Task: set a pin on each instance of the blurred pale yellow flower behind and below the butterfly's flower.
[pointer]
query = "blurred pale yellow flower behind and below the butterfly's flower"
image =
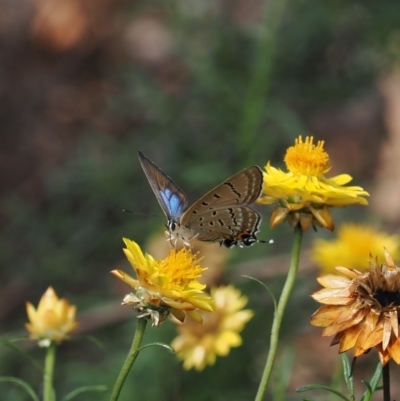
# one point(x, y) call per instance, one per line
point(199, 346)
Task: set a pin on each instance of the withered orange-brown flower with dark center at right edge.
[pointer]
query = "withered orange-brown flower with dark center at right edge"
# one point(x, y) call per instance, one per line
point(362, 309)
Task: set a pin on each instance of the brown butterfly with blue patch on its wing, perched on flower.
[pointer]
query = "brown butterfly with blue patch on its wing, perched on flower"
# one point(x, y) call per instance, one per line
point(221, 215)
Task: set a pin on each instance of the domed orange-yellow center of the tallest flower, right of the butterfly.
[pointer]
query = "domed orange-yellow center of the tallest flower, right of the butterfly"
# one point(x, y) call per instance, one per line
point(305, 158)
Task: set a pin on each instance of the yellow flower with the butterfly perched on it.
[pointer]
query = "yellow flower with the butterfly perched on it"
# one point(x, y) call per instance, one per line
point(165, 286)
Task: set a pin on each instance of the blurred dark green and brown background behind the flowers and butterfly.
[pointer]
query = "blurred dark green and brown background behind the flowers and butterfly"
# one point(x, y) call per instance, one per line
point(204, 89)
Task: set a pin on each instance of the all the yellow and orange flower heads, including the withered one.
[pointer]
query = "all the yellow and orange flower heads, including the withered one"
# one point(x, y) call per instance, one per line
point(361, 303)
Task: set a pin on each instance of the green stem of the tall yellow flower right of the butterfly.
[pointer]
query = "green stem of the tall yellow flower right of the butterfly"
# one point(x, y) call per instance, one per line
point(279, 312)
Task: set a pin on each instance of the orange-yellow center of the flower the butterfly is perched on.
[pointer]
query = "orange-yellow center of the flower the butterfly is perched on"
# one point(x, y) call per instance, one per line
point(181, 267)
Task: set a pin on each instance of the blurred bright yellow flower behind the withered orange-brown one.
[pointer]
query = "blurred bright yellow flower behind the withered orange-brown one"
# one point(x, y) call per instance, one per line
point(353, 246)
